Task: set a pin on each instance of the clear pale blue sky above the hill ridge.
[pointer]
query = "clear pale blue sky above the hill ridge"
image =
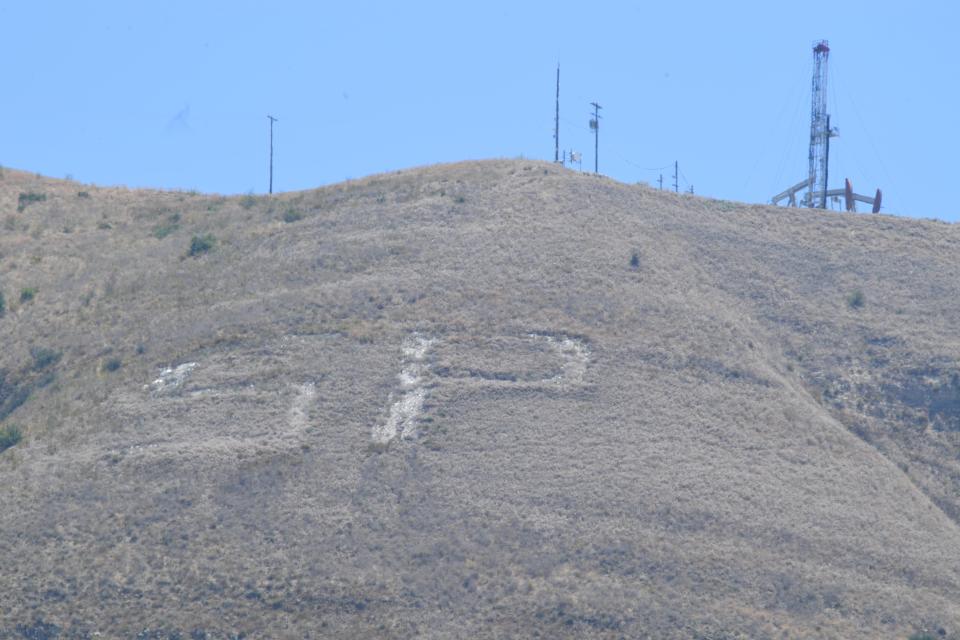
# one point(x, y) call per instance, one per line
point(175, 94)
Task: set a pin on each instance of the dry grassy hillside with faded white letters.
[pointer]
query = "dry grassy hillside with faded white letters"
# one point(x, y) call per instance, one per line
point(495, 399)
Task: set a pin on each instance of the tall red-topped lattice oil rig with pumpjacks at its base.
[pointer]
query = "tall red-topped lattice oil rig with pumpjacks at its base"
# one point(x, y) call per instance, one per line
point(817, 191)
